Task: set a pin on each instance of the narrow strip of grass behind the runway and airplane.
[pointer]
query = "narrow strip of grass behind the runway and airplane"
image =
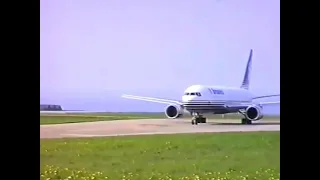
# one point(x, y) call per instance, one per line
point(75, 118)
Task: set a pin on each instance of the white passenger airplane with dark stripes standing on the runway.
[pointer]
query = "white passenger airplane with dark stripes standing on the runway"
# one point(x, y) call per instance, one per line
point(200, 99)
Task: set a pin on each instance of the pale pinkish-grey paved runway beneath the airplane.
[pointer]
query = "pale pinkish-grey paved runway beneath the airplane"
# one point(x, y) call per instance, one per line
point(151, 126)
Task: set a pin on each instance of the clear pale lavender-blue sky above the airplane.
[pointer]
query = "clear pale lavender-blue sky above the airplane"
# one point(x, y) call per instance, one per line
point(95, 50)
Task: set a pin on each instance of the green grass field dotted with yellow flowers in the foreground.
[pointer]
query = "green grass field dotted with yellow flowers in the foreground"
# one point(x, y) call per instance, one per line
point(223, 156)
